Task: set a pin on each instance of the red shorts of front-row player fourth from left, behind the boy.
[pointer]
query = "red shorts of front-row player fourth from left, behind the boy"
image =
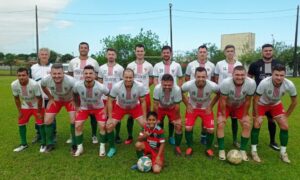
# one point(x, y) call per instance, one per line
point(119, 112)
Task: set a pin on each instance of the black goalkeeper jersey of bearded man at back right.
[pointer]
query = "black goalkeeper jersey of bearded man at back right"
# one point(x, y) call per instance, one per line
point(260, 70)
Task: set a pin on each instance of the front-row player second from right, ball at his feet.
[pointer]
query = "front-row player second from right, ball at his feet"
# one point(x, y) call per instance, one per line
point(235, 100)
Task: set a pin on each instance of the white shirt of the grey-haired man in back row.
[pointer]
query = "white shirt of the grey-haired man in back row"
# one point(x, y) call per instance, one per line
point(38, 72)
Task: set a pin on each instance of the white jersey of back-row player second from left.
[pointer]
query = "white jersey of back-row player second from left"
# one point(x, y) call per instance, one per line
point(76, 67)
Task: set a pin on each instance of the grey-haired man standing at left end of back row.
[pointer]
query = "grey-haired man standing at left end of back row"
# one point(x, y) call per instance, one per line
point(37, 72)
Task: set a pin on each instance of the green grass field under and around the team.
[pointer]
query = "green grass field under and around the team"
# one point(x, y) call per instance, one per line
point(31, 164)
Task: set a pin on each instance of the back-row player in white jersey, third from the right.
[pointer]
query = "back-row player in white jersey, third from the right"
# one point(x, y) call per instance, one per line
point(202, 61)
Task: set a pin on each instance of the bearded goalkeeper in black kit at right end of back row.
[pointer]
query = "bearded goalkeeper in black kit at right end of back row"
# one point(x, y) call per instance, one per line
point(261, 69)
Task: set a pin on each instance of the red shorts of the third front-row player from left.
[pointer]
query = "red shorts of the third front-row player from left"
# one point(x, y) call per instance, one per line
point(82, 115)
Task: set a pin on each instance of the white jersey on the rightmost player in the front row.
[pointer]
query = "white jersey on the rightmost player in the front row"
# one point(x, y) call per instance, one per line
point(271, 95)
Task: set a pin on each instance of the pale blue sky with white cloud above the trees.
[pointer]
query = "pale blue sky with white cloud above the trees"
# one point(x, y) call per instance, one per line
point(63, 24)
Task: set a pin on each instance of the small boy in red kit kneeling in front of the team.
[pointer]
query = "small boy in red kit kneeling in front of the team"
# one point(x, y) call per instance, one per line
point(151, 141)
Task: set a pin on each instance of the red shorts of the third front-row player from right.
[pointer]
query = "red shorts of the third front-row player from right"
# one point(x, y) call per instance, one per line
point(207, 119)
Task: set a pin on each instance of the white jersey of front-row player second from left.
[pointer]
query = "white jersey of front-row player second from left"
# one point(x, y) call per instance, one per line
point(60, 92)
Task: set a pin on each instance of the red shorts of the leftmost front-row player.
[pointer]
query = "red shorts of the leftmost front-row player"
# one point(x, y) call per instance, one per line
point(27, 113)
